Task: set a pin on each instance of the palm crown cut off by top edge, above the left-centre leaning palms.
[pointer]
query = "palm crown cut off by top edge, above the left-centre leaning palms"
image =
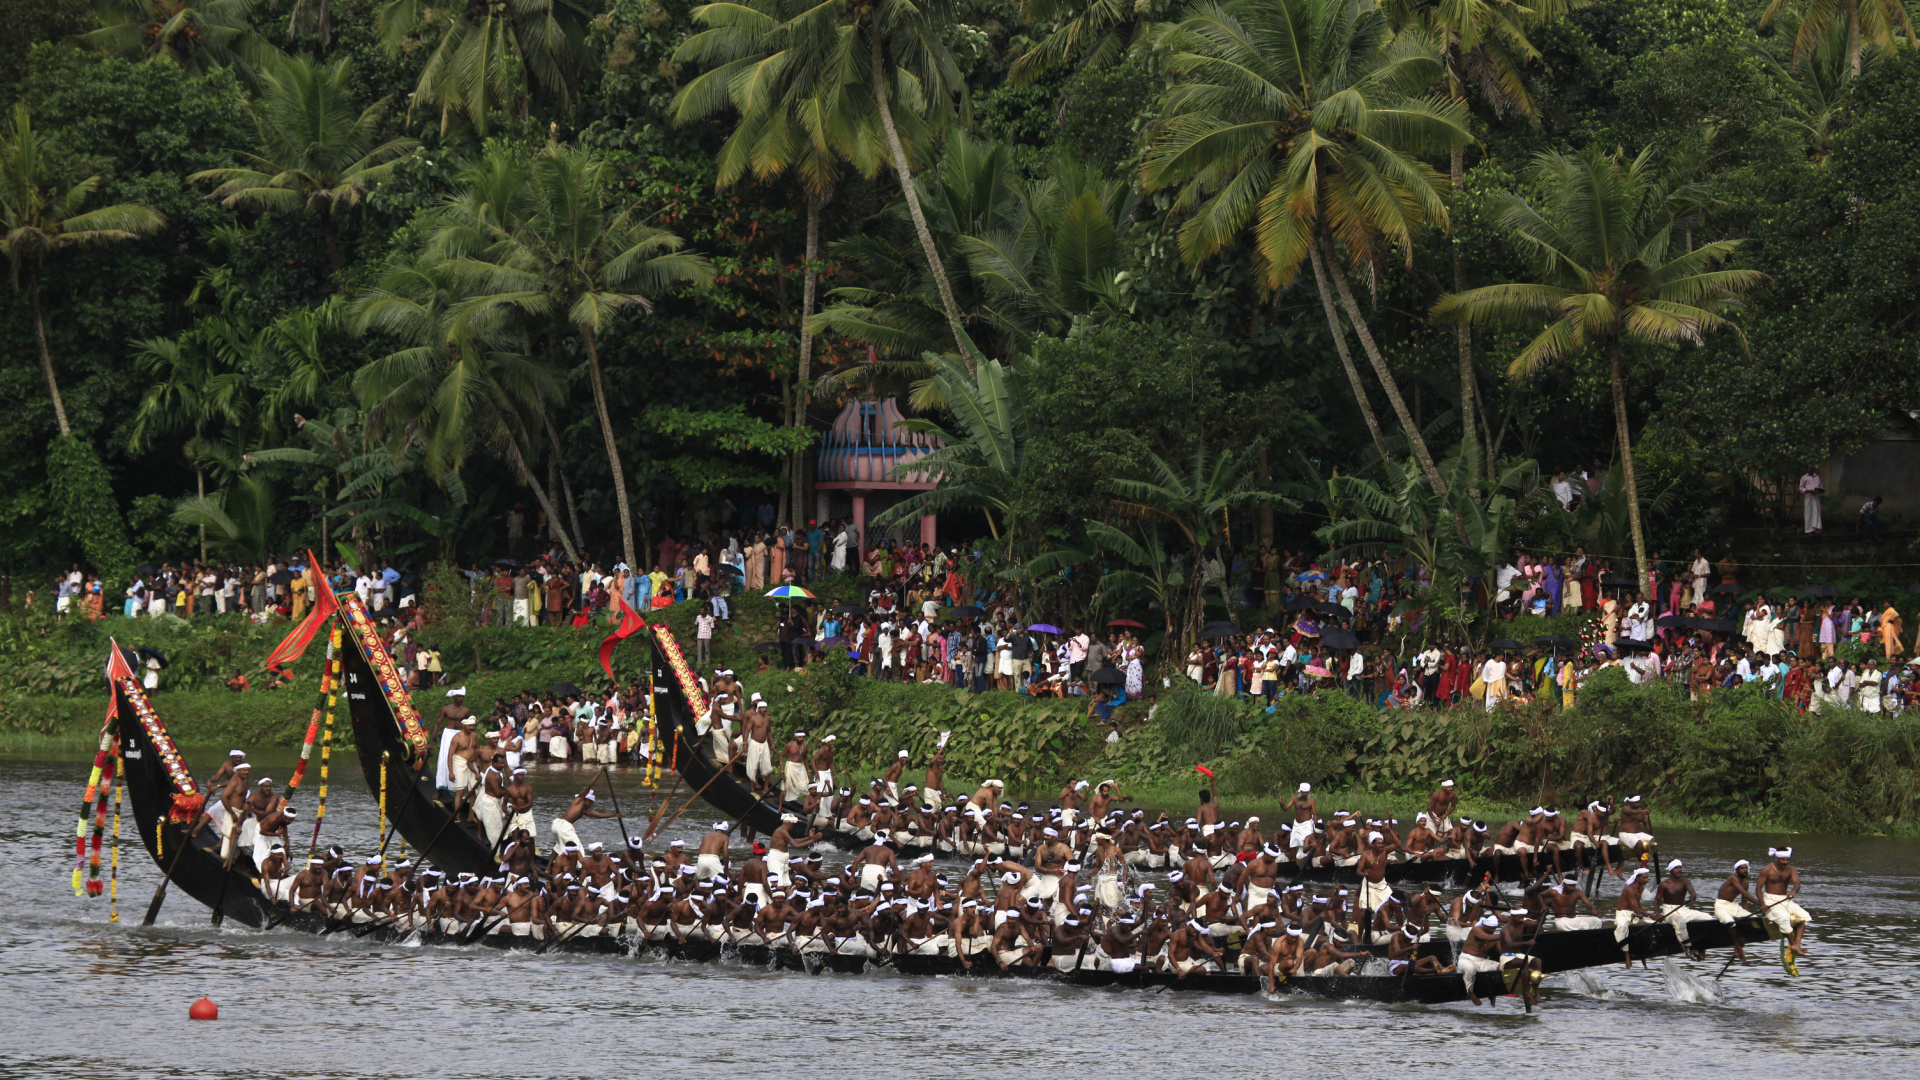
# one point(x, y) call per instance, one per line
point(498, 55)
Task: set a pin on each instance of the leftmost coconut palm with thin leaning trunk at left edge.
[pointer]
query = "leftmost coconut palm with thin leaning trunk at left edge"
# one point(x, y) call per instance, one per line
point(43, 212)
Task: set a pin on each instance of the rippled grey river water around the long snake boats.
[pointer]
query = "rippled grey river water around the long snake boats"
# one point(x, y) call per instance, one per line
point(95, 998)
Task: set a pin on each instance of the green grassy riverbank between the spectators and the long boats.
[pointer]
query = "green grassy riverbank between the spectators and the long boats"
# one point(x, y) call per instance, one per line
point(1740, 762)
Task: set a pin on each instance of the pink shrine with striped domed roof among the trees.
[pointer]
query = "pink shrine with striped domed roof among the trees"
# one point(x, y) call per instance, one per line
point(861, 454)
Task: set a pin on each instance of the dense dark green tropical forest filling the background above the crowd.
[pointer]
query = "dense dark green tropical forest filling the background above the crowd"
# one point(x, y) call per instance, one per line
point(1051, 147)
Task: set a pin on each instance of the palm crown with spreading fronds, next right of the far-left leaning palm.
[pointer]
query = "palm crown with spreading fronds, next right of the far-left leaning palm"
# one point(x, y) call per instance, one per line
point(314, 153)
